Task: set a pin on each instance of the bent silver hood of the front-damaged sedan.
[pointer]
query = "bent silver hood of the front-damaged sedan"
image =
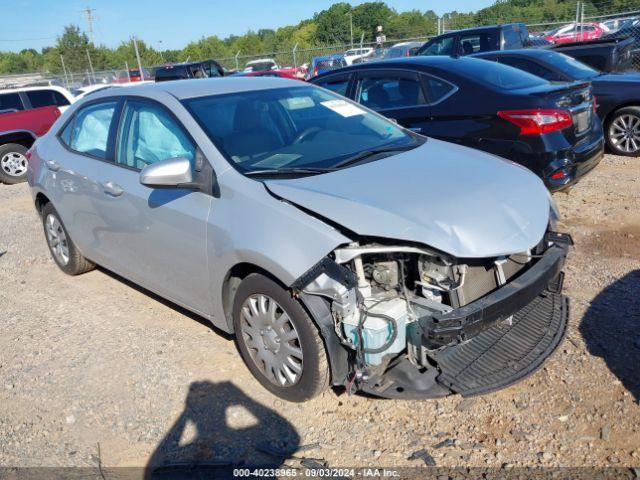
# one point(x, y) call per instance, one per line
point(460, 201)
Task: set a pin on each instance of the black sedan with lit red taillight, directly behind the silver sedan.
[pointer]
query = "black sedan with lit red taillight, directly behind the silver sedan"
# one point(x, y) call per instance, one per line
point(550, 129)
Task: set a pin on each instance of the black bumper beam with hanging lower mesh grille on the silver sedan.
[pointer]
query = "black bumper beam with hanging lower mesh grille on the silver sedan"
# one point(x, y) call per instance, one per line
point(476, 349)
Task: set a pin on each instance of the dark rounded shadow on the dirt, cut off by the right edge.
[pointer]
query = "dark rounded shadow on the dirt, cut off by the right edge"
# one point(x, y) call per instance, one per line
point(611, 330)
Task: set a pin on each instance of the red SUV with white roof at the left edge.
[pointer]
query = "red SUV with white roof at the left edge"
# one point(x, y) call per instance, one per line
point(26, 114)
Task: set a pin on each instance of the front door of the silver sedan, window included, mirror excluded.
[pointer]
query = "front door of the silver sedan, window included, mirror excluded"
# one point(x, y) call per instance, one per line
point(155, 237)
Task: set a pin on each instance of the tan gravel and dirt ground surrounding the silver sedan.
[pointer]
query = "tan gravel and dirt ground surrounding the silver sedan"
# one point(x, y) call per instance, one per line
point(94, 369)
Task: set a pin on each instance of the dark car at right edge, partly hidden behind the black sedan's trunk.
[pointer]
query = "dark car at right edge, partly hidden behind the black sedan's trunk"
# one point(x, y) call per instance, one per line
point(617, 94)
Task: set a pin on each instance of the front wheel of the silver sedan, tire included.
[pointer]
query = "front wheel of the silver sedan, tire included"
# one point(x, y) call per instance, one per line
point(278, 341)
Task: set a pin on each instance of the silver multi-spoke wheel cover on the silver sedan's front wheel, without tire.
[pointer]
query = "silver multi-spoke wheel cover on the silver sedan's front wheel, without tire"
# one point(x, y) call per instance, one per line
point(272, 340)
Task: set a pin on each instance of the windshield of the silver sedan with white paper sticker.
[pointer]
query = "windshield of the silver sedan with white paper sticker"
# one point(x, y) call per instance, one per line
point(293, 128)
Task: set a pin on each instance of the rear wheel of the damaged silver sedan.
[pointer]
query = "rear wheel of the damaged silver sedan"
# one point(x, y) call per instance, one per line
point(62, 248)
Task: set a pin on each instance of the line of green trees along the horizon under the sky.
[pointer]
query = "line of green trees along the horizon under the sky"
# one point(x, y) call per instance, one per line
point(332, 26)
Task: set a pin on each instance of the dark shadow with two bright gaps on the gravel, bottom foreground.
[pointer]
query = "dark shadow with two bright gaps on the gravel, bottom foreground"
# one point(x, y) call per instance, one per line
point(221, 429)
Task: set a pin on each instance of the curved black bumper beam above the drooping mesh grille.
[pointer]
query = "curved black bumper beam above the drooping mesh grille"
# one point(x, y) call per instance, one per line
point(467, 322)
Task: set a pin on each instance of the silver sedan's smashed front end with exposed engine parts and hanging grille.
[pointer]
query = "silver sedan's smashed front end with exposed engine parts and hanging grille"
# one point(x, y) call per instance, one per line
point(411, 322)
